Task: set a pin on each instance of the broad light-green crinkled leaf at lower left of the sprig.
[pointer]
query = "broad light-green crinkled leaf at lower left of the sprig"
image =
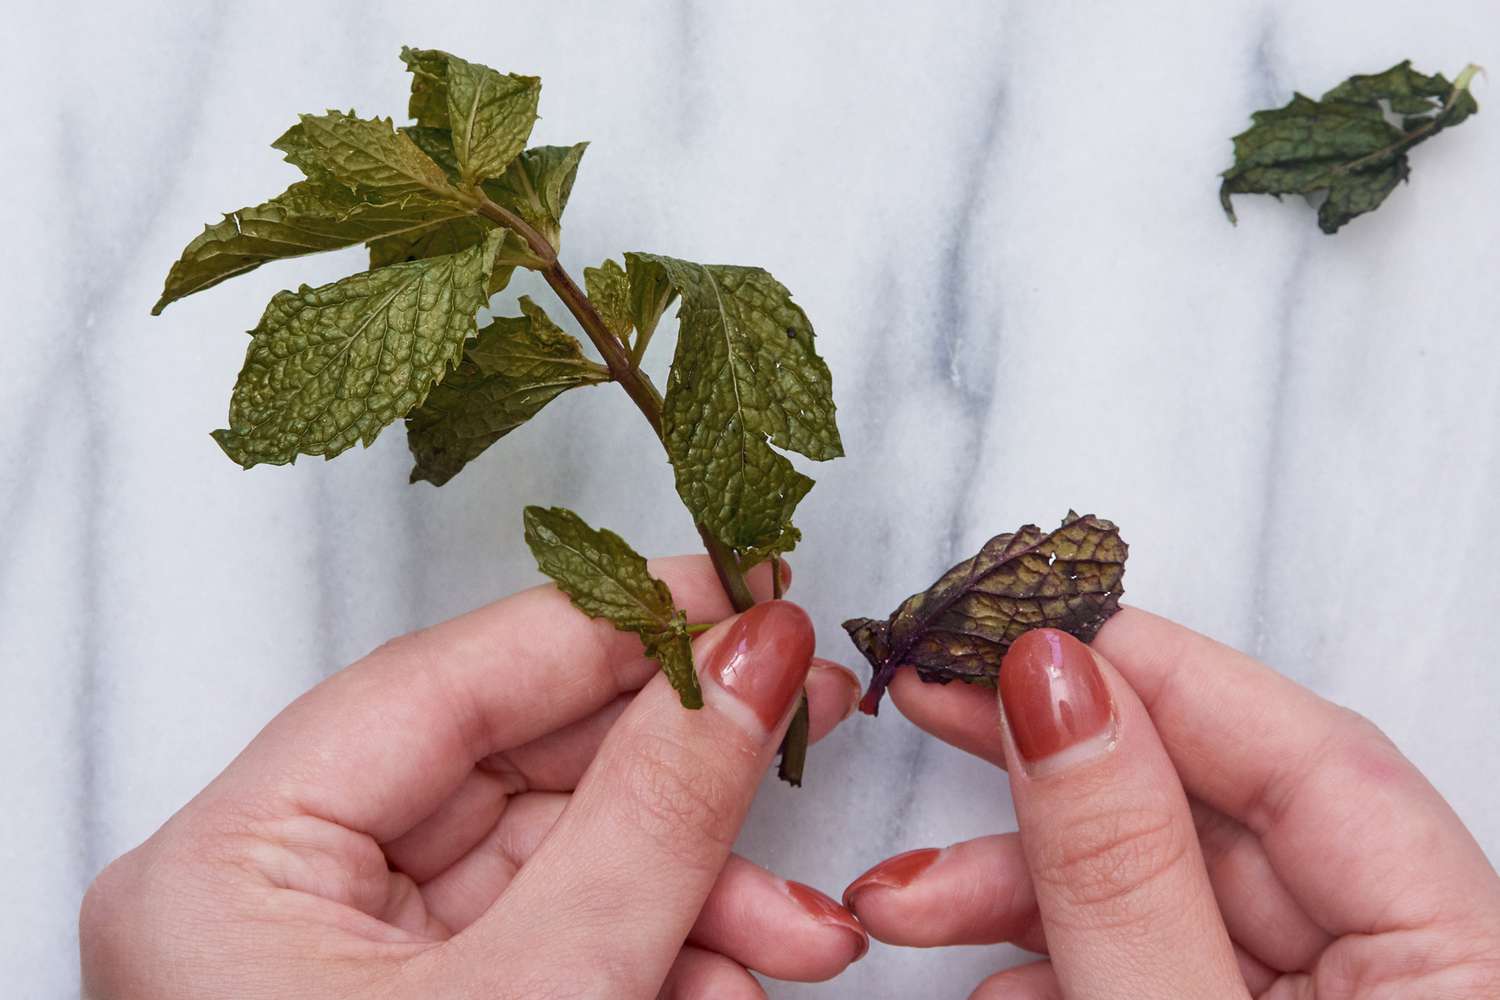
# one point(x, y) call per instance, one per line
point(332, 367)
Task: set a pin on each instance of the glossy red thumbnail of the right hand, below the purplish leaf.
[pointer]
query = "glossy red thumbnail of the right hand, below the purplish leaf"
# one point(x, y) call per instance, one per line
point(1057, 704)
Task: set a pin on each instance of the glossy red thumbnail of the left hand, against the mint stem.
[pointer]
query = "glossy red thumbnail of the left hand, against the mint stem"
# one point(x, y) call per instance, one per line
point(764, 659)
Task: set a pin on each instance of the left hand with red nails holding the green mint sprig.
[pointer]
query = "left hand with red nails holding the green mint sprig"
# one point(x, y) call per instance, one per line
point(509, 804)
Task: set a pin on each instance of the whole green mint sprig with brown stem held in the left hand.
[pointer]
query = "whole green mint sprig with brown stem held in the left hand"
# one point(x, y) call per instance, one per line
point(449, 208)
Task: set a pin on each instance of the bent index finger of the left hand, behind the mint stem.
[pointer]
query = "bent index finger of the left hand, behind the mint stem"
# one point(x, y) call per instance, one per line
point(379, 746)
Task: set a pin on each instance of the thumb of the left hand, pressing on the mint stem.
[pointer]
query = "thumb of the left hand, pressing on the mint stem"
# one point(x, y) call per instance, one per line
point(616, 887)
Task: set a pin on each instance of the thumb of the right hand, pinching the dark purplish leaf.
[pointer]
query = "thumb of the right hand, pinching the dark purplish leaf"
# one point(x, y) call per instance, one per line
point(1126, 900)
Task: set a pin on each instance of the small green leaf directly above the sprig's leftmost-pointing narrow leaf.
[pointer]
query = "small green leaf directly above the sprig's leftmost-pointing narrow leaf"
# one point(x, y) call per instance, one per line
point(370, 158)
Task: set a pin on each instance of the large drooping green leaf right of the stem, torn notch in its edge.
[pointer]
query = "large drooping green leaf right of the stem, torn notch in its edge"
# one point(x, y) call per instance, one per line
point(746, 377)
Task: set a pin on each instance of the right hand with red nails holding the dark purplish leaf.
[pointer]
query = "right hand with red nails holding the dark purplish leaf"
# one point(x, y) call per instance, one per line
point(1192, 825)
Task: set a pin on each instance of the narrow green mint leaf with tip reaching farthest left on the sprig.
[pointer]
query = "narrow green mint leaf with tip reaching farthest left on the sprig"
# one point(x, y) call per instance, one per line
point(308, 218)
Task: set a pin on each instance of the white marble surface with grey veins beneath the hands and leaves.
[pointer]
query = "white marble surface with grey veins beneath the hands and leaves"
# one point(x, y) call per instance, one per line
point(1000, 217)
